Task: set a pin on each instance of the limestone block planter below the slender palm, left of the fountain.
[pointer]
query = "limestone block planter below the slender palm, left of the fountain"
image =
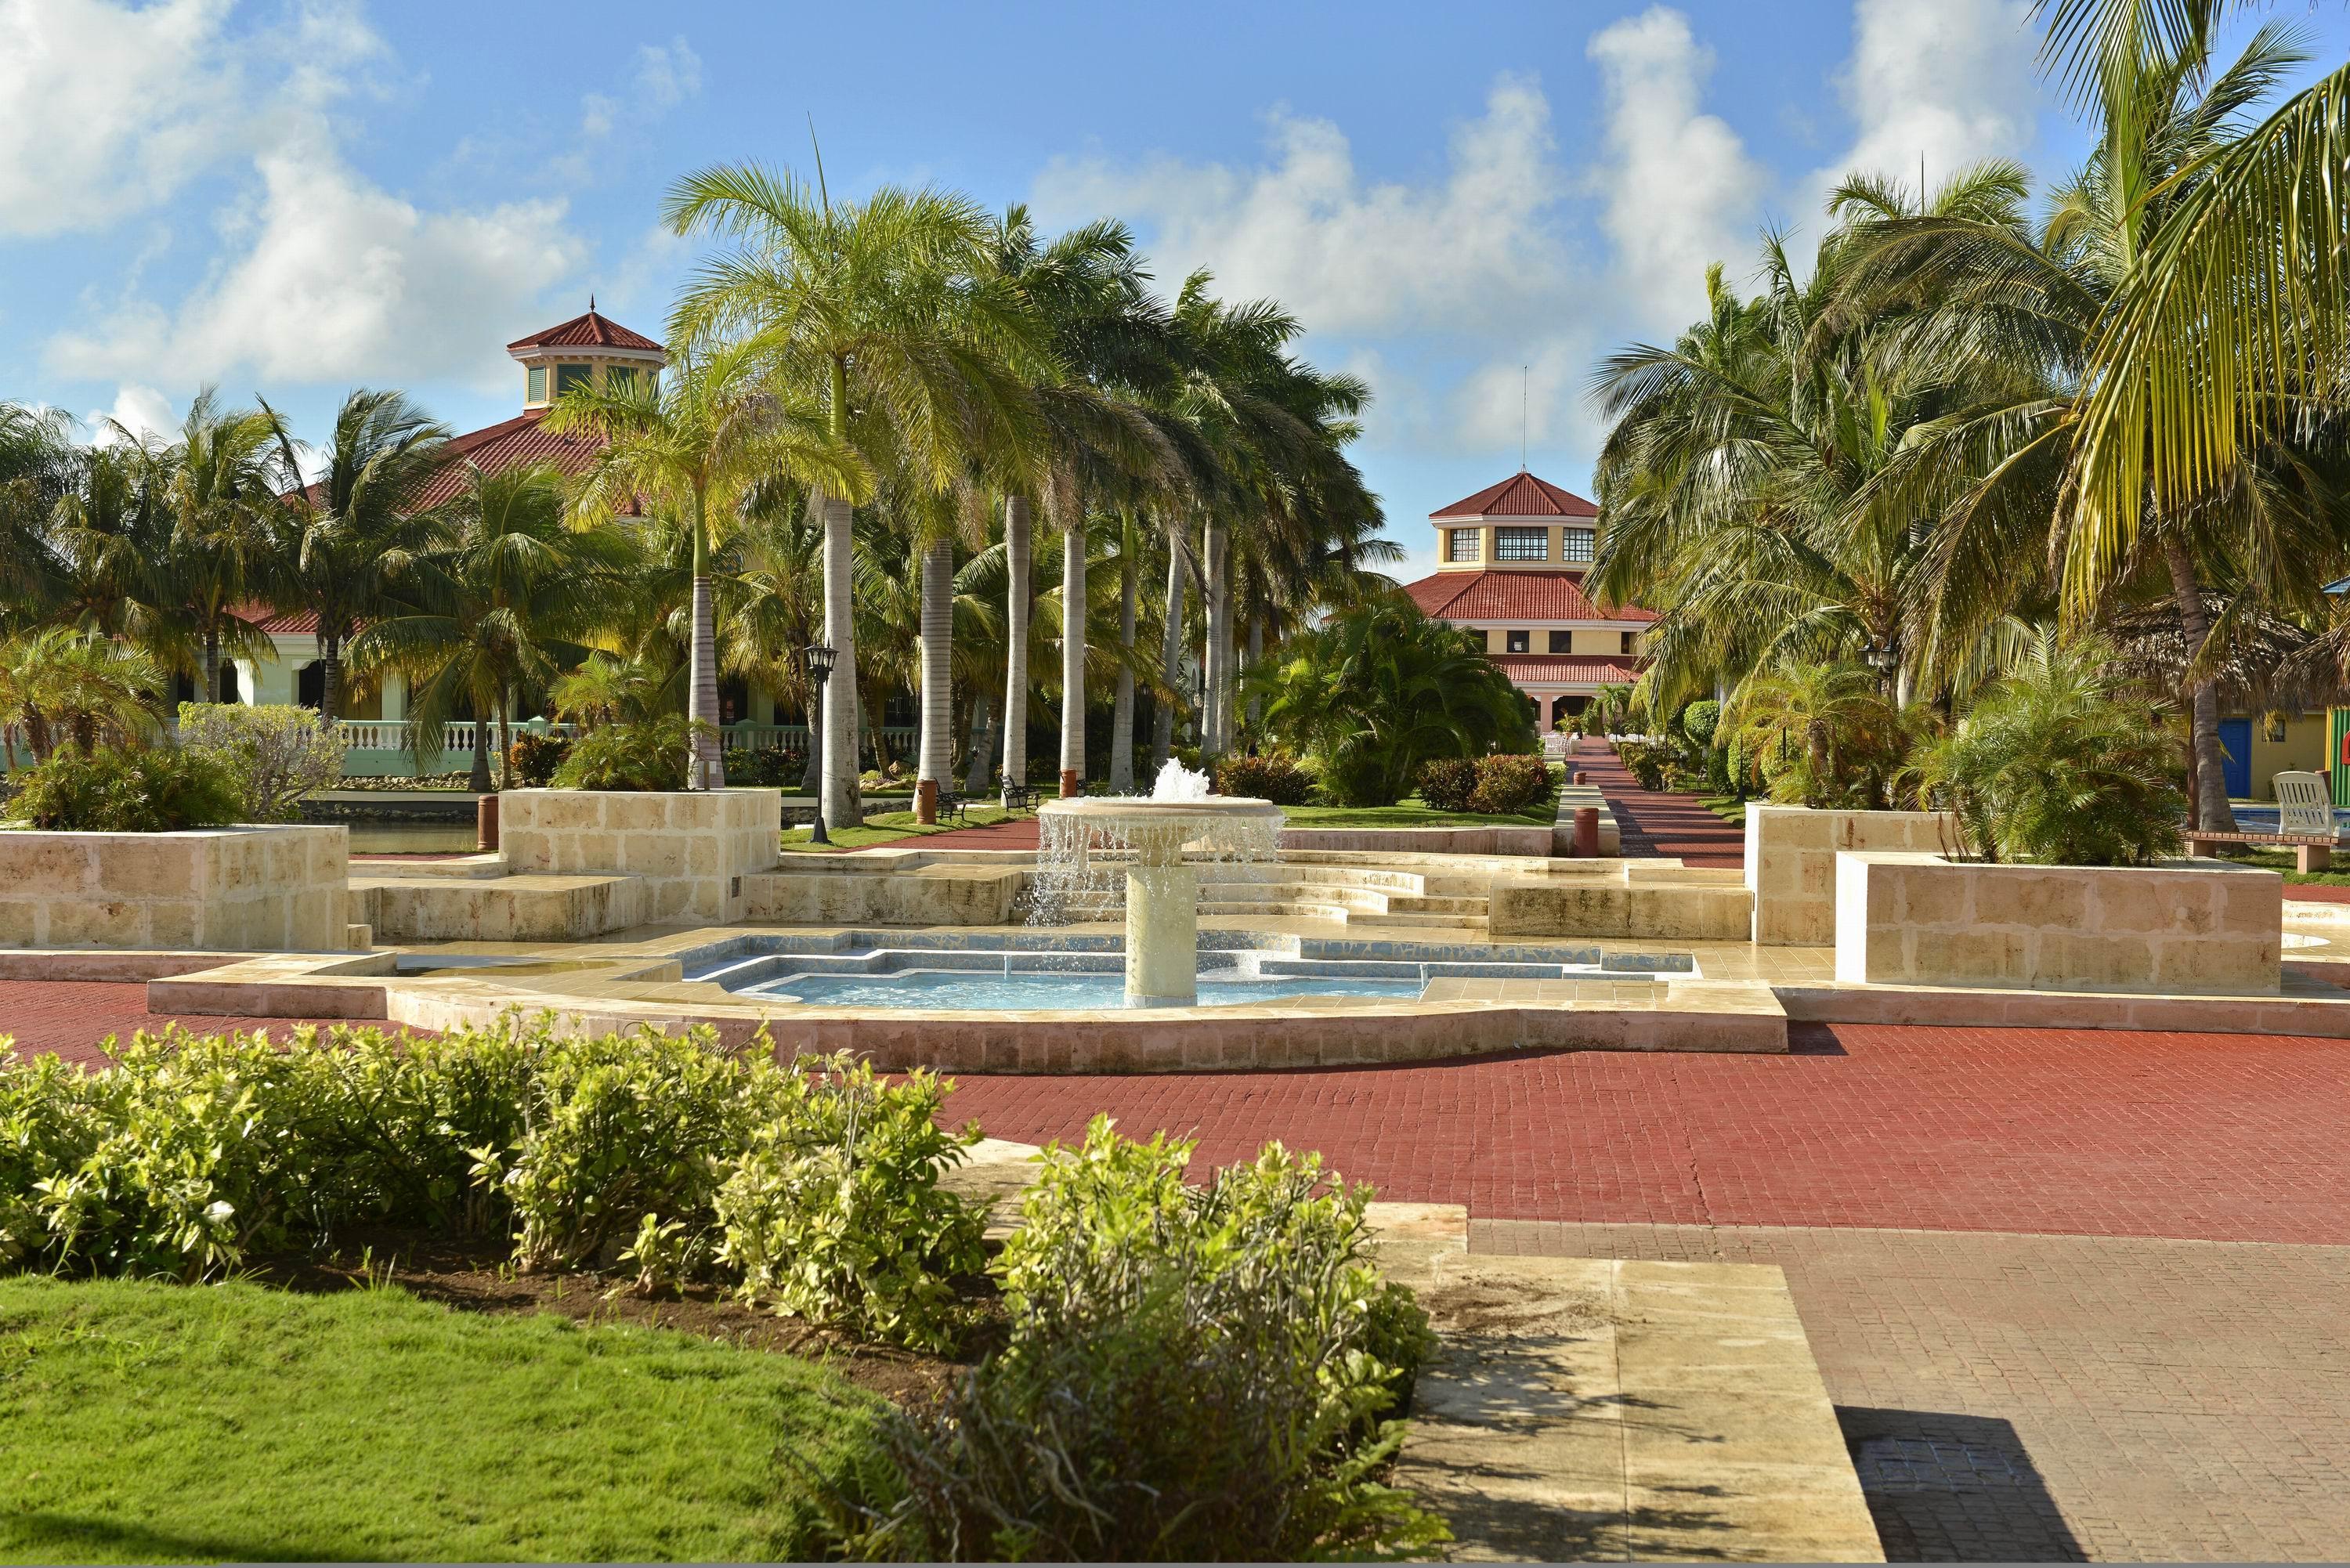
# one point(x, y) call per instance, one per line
point(692, 850)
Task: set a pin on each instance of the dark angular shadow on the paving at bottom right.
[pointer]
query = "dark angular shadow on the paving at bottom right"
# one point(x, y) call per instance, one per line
point(1954, 1489)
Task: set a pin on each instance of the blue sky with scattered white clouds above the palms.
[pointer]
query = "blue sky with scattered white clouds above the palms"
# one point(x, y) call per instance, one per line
point(1468, 206)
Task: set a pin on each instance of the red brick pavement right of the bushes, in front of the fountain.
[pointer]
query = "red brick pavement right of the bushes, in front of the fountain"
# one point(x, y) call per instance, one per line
point(2191, 1137)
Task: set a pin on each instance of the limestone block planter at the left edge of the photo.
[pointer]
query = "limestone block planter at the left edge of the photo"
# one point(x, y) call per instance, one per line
point(253, 887)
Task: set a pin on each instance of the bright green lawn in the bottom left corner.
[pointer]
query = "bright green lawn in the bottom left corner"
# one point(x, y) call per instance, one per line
point(147, 1421)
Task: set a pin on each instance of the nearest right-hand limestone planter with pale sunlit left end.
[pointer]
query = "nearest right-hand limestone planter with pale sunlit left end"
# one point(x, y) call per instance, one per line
point(2173, 927)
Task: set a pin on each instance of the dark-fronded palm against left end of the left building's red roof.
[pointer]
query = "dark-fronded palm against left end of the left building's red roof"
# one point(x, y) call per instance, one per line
point(344, 537)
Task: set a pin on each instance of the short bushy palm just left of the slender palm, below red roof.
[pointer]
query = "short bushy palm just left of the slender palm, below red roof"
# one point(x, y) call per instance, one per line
point(497, 612)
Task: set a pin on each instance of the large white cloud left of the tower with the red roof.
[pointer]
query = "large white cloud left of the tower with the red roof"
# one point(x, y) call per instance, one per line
point(340, 281)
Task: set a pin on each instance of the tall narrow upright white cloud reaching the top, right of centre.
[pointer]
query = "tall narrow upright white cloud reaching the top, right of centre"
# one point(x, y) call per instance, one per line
point(1679, 189)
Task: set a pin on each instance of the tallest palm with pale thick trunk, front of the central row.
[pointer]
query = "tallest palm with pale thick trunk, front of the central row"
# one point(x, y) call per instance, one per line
point(887, 321)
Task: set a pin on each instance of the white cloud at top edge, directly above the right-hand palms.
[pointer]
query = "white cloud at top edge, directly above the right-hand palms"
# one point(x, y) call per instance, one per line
point(1949, 83)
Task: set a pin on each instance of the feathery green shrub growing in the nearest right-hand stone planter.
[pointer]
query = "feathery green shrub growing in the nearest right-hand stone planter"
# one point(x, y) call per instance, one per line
point(2053, 768)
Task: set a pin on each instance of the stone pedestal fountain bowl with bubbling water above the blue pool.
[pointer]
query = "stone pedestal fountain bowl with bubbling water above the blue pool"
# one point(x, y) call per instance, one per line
point(1150, 840)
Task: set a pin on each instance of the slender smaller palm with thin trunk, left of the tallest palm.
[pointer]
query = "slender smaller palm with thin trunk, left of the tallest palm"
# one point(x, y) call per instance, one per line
point(694, 445)
